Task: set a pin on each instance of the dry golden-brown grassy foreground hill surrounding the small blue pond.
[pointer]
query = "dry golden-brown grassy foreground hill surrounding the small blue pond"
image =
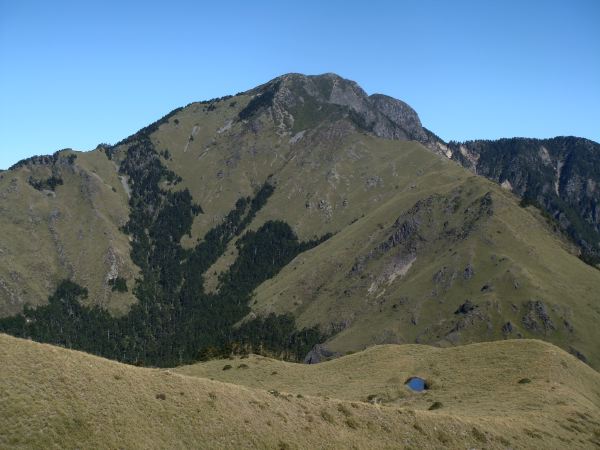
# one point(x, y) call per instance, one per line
point(517, 394)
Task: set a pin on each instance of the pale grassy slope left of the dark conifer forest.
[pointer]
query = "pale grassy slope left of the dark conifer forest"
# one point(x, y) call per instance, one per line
point(73, 233)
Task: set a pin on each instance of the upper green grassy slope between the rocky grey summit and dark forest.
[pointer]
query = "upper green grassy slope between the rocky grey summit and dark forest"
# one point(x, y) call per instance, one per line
point(325, 180)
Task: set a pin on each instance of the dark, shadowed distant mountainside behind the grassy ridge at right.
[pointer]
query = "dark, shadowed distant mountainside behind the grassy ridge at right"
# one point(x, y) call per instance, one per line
point(560, 175)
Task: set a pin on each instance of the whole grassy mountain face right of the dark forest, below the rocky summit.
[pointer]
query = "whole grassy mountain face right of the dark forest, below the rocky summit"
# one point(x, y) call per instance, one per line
point(334, 179)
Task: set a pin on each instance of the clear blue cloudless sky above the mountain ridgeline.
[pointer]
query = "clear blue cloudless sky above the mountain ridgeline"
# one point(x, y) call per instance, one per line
point(74, 74)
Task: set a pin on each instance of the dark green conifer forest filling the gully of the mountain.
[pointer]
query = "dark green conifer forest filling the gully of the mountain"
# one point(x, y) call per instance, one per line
point(175, 320)
